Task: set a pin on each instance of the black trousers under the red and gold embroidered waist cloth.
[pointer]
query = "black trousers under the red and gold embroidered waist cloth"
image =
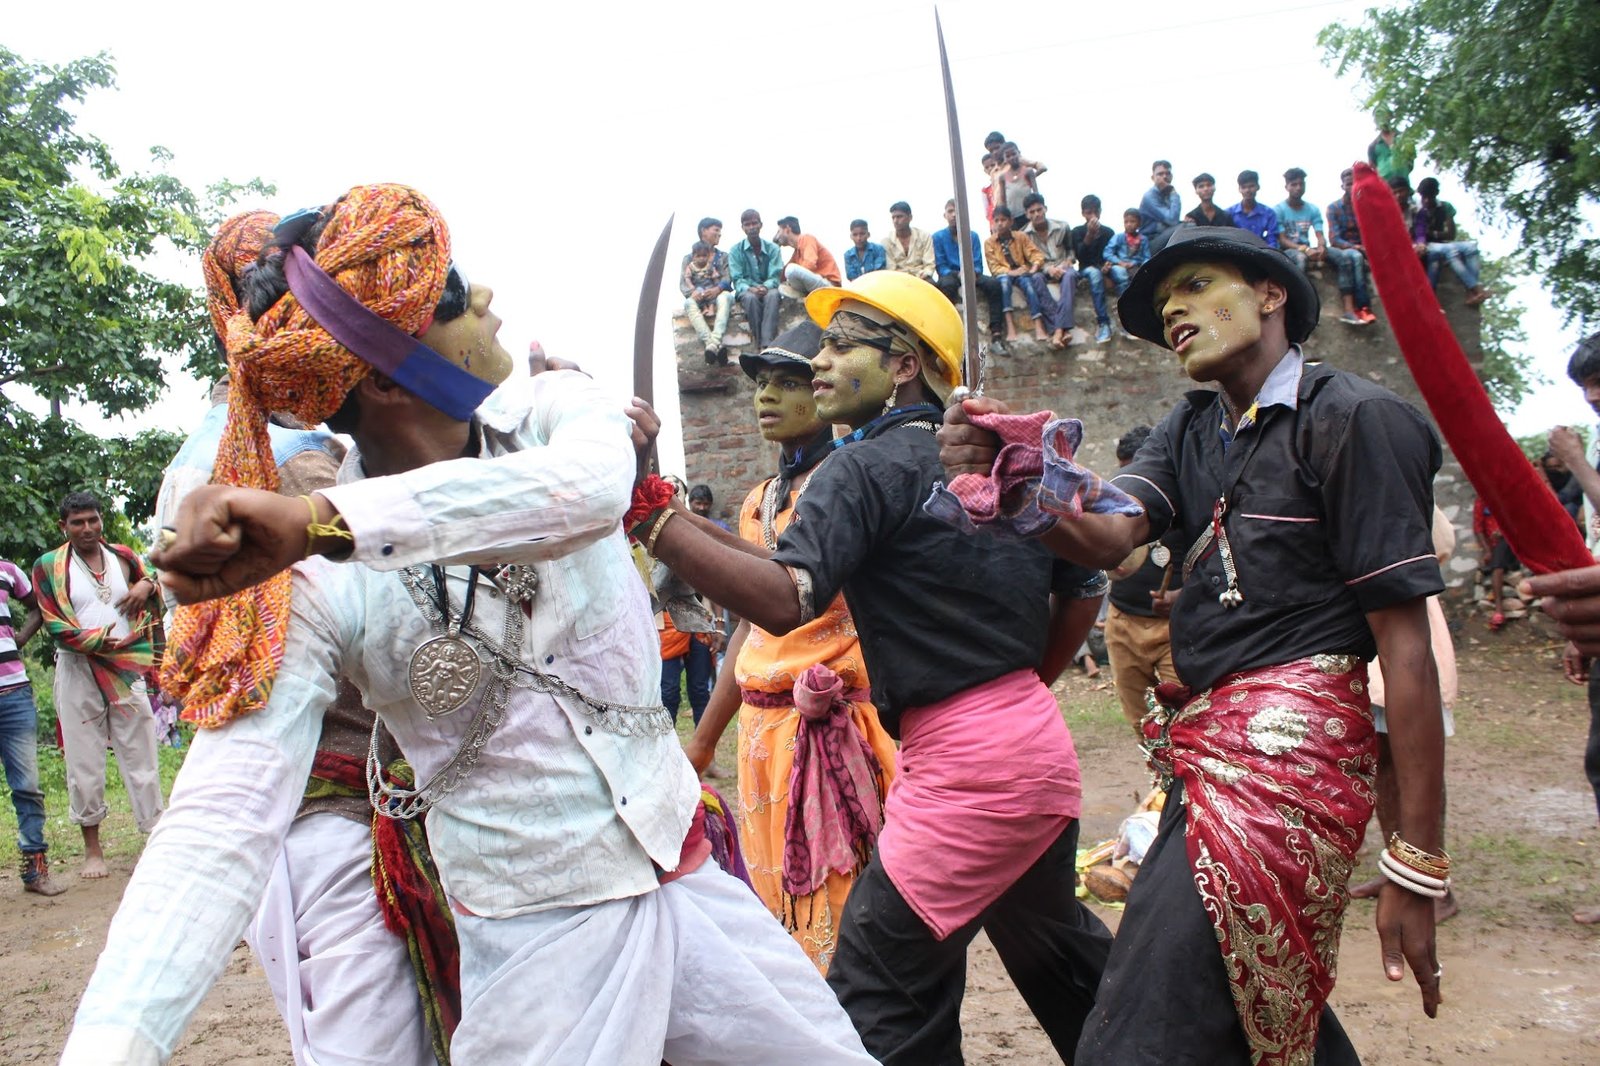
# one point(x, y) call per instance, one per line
point(1166, 1000)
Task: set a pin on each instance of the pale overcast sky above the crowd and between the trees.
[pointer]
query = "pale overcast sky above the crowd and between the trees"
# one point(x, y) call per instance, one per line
point(559, 138)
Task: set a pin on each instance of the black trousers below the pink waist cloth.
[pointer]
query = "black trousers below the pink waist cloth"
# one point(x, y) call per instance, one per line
point(903, 988)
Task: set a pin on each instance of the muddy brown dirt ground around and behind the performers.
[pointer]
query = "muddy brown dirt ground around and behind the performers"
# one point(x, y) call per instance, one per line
point(1522, 982)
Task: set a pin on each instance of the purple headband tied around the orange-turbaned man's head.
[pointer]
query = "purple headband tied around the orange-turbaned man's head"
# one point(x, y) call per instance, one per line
point(404, 358)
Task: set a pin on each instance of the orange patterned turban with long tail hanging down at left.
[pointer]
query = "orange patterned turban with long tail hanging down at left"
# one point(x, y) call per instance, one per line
point(390, 249)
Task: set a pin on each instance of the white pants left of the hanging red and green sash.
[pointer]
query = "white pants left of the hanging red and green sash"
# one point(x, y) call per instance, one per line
point(342, 980)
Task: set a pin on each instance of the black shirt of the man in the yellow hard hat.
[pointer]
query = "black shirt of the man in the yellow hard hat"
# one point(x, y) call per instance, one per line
point(938, 611)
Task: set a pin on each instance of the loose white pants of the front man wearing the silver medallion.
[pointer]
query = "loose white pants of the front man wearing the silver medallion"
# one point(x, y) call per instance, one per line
point(697, 974)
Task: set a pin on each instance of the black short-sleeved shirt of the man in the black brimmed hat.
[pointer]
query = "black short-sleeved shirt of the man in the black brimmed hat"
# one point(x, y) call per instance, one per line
point(1329, 513)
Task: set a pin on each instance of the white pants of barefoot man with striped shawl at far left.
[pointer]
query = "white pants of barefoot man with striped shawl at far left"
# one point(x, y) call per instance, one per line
point(89, 724)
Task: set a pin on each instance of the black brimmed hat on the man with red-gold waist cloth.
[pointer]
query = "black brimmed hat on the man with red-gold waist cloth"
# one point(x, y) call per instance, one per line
point(1194, 244)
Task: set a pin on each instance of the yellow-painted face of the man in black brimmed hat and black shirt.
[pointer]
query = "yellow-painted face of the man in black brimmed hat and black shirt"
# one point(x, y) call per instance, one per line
point(1209, 315)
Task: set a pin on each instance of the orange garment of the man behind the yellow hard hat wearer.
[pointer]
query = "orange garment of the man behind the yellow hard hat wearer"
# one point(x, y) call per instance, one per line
point(767, 748)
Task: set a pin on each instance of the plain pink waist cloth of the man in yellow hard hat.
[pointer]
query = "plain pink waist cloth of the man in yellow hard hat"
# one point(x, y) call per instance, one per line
point(988, 780)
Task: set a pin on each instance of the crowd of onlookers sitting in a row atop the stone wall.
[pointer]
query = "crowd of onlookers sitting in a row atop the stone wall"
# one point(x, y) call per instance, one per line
point(1036, 263)
